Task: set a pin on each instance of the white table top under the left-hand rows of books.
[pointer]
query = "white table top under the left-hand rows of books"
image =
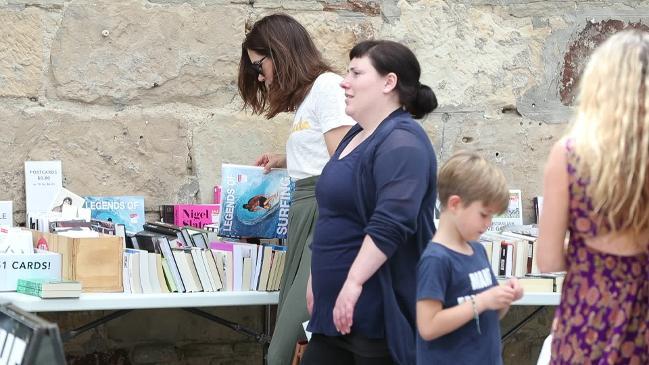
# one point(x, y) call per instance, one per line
point(116, 301)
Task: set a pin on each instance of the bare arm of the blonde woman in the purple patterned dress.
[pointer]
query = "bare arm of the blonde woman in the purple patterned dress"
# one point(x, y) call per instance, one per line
point(554, 217)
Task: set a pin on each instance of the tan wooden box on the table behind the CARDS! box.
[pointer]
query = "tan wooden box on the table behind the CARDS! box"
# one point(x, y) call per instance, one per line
point(96, 262)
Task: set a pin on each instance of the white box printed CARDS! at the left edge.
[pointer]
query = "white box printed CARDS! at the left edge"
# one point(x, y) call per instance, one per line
point(39, 265)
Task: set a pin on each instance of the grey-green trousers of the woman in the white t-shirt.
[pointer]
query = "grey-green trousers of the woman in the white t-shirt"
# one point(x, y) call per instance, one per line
point(291, 311)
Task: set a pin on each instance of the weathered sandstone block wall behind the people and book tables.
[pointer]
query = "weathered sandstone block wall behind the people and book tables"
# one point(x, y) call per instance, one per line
point(139, 97)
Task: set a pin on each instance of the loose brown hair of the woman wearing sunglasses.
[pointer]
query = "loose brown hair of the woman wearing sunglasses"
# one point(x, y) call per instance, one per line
point(296, 61)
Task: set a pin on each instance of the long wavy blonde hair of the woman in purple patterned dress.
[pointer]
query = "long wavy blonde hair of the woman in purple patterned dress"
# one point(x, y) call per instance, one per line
point(611, 131)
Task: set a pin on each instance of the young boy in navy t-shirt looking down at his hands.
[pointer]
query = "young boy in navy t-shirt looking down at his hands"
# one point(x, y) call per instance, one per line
point(459, 301)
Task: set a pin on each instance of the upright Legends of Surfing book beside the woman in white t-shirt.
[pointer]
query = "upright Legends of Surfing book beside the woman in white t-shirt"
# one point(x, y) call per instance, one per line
point(254, 204)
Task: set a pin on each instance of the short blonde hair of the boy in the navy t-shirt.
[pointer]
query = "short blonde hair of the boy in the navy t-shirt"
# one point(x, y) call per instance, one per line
point(469, 176)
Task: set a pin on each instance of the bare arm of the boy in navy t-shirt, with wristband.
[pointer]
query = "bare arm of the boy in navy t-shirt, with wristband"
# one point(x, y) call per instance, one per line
point(434, 322)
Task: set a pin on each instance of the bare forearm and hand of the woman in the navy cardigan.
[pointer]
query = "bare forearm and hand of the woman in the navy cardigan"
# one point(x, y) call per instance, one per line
point(367, 262)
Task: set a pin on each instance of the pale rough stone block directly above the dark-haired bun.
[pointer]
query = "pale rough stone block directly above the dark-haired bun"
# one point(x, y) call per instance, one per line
point(472, 57)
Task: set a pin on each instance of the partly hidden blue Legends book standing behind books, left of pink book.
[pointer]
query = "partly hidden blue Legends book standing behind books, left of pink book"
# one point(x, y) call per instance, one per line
point(127, 210)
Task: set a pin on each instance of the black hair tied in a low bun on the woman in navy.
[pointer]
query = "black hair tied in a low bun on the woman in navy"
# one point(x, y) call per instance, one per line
point(389, 56)
